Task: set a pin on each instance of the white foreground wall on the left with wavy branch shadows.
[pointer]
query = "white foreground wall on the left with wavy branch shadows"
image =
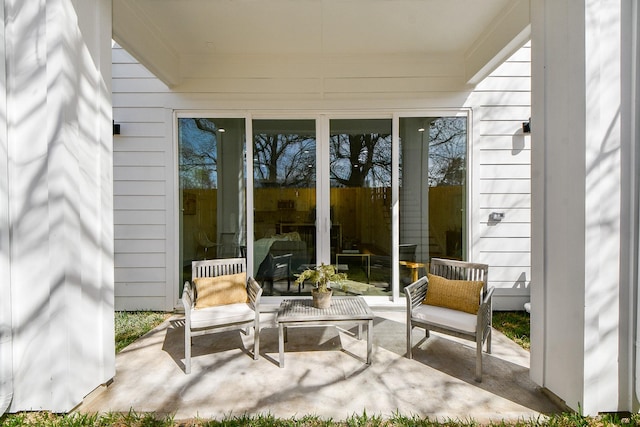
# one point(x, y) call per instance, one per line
point(59, 175)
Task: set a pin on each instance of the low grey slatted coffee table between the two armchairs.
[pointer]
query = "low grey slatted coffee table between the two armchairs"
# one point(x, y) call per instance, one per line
point(300, 312)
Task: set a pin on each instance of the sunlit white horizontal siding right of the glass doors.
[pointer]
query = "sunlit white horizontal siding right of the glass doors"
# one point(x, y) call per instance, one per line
point(501, 174)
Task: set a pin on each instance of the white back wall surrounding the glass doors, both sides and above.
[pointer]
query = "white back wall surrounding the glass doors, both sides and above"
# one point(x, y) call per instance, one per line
point(145, 231)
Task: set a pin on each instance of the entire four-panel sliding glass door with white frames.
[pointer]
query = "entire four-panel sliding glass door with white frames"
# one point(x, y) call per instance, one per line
point(325, 190)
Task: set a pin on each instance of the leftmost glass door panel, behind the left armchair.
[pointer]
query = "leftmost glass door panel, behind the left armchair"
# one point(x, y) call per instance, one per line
point(212, 189)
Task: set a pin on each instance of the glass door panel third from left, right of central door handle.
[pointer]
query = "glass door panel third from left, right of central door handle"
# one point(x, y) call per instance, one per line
point(360, 198)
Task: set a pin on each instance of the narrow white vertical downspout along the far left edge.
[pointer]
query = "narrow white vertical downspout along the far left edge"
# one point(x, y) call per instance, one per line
point(6, 327)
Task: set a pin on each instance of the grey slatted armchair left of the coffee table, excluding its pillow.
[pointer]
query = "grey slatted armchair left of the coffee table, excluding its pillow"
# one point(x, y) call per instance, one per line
point(239, 315)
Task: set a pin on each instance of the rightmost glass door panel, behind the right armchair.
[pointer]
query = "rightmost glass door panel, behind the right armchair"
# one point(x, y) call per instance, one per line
point(433, 170)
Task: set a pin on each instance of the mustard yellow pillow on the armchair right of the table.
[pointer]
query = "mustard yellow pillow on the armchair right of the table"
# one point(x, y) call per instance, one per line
point(461, 295)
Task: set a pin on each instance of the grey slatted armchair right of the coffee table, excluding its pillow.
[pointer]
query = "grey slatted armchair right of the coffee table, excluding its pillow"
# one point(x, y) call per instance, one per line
point(475, 327)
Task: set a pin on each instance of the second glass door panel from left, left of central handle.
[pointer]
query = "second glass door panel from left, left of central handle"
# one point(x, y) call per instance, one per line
point(284, 173)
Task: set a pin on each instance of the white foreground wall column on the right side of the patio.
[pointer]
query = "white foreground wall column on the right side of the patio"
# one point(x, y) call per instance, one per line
point(584, 218)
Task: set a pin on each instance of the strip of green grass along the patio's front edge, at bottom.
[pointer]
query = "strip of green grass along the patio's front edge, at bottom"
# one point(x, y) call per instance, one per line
point(46, 419)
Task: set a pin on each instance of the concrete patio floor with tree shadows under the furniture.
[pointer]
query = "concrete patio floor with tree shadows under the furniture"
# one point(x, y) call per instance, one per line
point(324, 375)
